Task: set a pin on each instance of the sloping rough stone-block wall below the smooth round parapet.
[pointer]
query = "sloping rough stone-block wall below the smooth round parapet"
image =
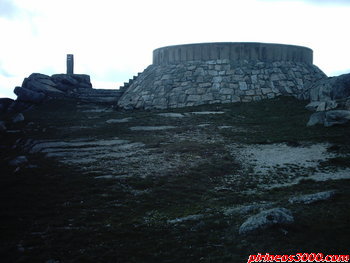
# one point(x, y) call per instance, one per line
point(192, 83)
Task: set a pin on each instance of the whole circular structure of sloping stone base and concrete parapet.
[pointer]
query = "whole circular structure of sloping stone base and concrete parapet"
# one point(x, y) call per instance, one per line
point(195, 74)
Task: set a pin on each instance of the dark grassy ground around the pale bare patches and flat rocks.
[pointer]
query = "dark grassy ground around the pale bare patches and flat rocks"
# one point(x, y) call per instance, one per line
point(53, 211)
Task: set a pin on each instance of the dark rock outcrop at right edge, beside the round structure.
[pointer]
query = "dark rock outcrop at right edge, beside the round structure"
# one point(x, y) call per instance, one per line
point(330, 99)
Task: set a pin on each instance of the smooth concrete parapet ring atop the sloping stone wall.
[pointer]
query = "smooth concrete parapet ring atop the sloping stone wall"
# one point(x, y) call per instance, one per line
point(233, 51)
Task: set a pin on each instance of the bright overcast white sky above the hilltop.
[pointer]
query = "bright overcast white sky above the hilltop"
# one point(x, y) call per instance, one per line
point(113, 40)
